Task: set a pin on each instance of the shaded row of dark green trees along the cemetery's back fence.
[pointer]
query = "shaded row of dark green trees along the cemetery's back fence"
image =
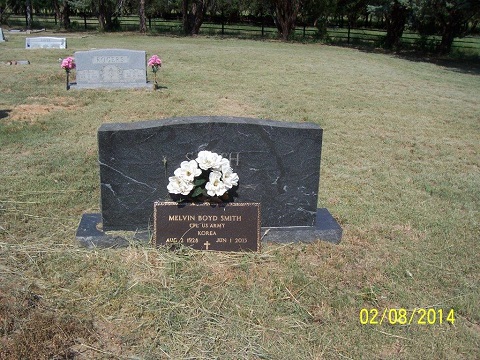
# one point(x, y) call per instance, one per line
point(448, 19)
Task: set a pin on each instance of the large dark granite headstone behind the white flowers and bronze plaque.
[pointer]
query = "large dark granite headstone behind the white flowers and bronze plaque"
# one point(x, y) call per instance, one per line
point(278, 164)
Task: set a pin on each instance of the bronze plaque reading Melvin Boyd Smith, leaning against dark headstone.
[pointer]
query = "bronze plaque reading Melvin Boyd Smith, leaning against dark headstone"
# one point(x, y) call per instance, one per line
point(205, 226)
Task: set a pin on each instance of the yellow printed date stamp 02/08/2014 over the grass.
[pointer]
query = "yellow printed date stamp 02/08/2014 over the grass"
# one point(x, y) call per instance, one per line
point(401, 316)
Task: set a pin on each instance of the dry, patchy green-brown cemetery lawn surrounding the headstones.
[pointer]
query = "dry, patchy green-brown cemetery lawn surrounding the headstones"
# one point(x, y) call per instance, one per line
point(400, 172)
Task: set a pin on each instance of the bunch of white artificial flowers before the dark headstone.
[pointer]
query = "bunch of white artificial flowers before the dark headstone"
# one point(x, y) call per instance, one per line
point(208, 178)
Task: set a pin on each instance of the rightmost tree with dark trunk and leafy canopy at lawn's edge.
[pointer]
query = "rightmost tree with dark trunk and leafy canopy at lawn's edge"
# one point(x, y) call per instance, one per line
point(449, 19)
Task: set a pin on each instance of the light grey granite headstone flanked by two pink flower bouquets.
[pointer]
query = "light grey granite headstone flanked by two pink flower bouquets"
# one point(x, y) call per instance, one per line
point(111, 68)
